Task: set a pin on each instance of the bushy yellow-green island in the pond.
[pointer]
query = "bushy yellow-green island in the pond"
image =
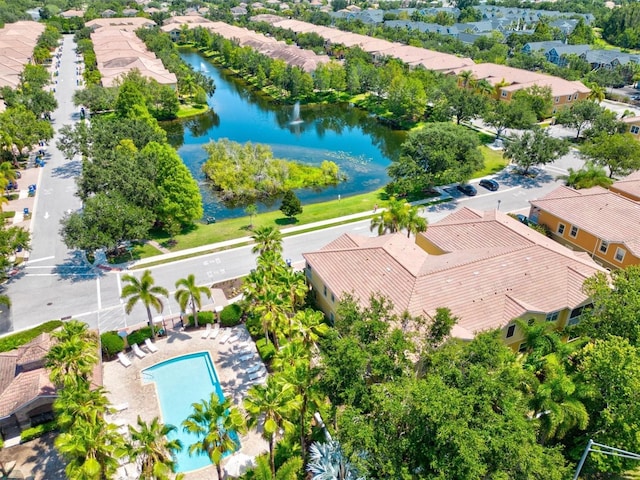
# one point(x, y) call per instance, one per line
point(248, 172)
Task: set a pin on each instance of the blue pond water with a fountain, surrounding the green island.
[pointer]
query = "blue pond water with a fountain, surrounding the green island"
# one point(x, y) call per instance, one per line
point(348, 136)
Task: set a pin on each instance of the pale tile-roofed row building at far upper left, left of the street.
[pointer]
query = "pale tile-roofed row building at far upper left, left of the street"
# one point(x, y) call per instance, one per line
point(17, 41)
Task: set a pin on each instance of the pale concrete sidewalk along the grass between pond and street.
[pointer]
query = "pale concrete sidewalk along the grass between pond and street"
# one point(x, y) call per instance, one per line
point(285, 231)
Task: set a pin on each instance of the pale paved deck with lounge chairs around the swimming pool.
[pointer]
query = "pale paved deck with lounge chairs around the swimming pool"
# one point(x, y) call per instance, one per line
point(125, 385)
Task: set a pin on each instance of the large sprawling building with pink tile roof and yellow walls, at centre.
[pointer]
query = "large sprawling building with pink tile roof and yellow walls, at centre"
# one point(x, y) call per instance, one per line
point(486, 267)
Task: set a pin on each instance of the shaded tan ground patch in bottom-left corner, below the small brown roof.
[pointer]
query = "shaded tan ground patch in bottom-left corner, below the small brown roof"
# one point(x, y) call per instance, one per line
point(36, 460)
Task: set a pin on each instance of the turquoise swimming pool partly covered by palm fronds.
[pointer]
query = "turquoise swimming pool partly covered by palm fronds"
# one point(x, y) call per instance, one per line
point(181, 382)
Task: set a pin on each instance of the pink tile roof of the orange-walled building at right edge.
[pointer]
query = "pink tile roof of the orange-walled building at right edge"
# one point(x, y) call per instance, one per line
point(602, 213)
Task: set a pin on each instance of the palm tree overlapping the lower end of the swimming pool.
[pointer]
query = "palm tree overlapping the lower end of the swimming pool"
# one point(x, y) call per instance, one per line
point(215, 422)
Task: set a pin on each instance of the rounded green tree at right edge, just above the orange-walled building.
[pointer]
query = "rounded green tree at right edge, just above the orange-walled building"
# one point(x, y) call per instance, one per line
point(619, 153)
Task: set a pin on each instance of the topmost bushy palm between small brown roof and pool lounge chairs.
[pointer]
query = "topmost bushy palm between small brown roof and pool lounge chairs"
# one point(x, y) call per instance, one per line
point(73, 356)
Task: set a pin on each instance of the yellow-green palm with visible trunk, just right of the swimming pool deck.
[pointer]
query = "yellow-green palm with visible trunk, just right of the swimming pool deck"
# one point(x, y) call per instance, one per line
point(272, 403)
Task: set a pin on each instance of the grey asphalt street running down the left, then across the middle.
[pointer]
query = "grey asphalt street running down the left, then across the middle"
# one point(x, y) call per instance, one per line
point(58, 283)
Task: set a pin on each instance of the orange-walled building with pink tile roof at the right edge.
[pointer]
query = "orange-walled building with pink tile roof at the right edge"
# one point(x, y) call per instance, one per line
point(597, 221)
